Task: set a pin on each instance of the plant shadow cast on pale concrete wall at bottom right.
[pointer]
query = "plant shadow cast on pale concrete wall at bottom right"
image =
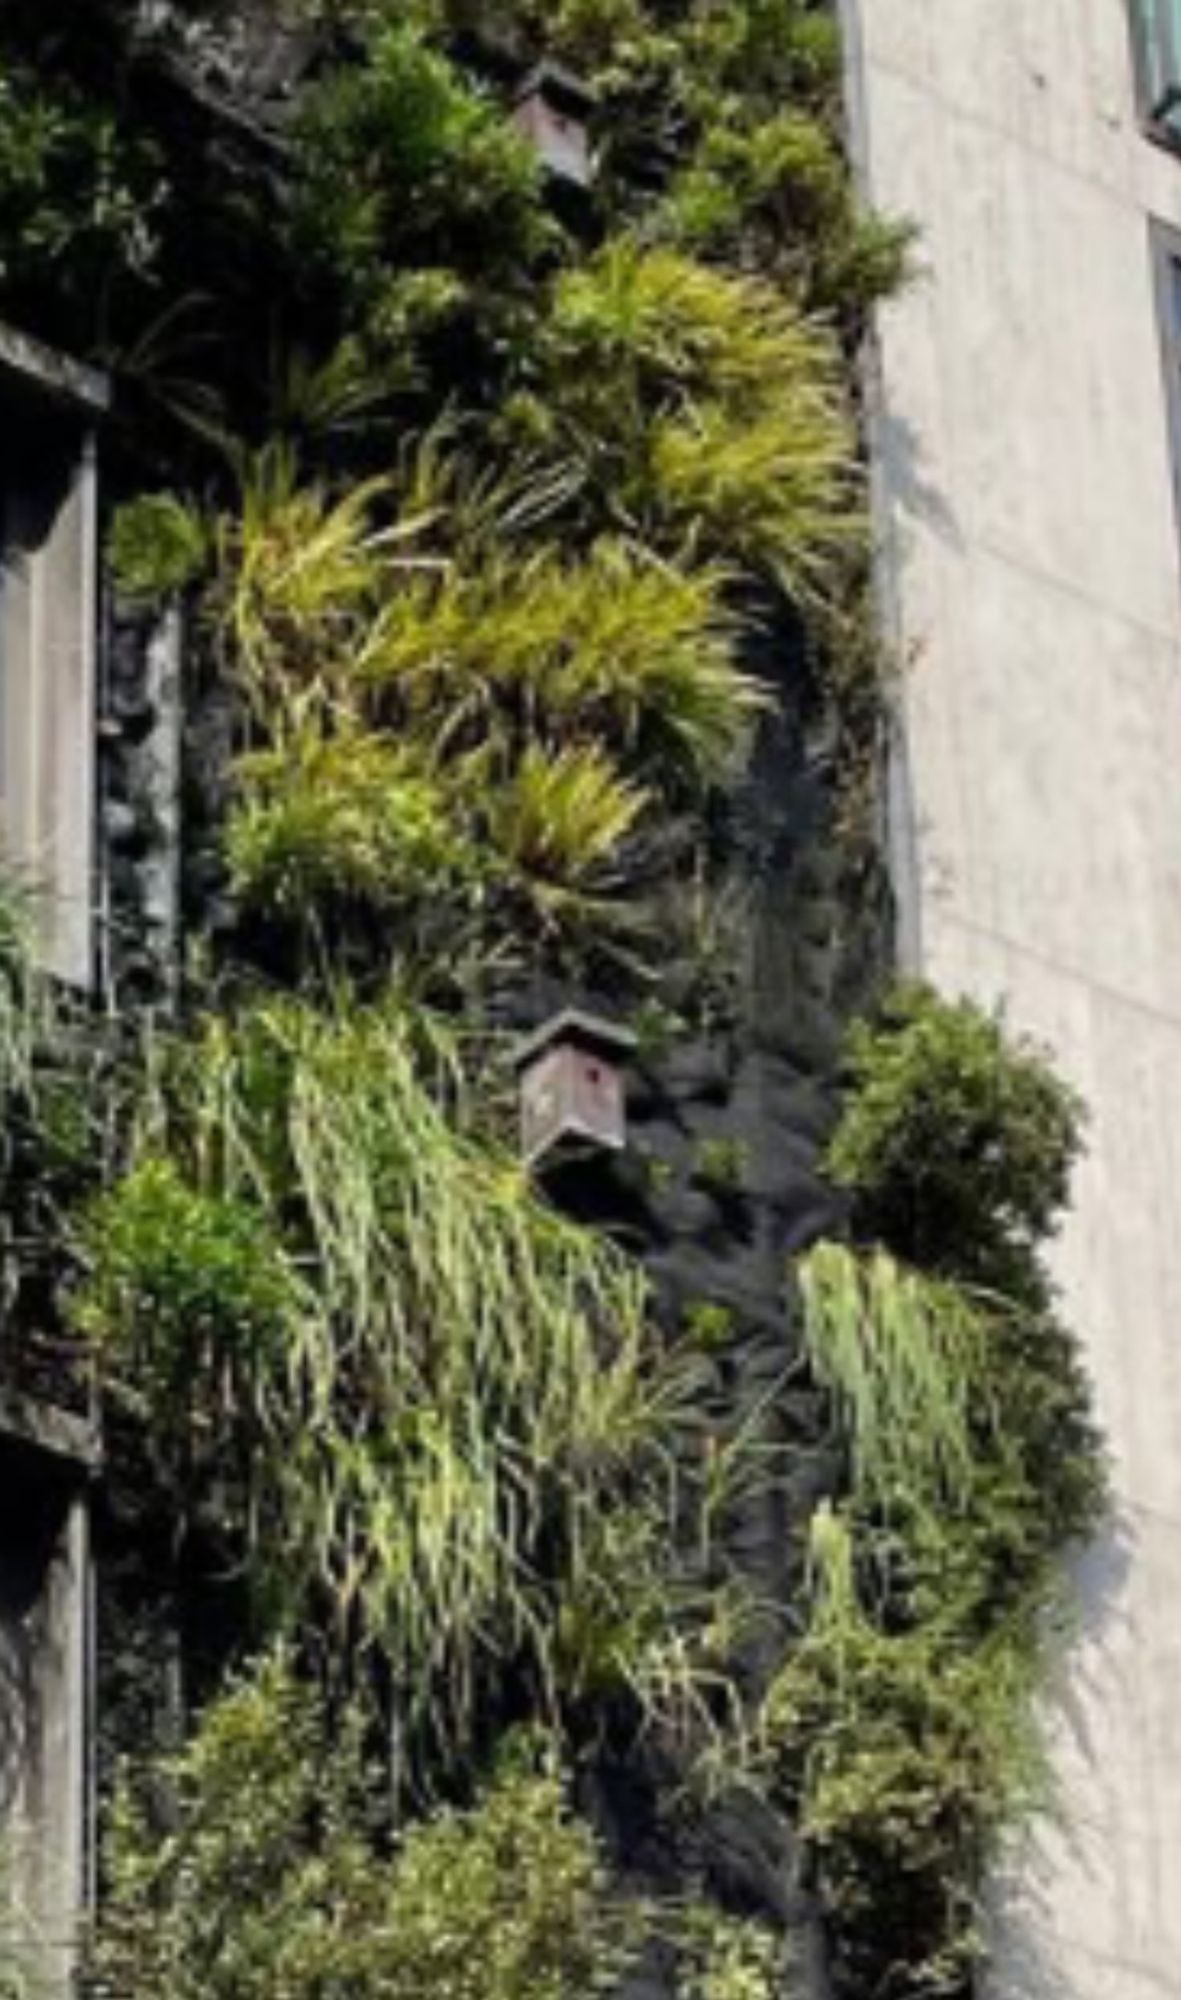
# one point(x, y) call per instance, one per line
point(1026, 1933)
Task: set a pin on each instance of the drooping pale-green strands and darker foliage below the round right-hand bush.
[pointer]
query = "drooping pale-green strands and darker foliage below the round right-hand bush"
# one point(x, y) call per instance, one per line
point(970, 1429)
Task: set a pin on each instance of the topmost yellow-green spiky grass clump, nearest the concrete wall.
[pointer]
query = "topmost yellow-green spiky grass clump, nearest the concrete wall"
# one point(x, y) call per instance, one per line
point(712, 409)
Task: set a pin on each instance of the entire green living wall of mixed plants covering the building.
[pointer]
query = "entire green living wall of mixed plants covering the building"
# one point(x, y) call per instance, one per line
point(636, 1579)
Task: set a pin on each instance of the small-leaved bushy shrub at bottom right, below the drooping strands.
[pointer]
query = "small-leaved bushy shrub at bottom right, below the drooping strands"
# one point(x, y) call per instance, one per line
point(910, 1757)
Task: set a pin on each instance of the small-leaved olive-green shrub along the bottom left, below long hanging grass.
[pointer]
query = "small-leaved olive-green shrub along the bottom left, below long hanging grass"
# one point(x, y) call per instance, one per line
point(265, 1877)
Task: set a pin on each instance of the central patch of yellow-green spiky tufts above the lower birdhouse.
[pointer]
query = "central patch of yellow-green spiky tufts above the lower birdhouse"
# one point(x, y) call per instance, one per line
point(479, 731)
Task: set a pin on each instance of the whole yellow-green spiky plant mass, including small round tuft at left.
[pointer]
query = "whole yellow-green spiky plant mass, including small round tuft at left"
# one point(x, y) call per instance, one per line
point(499, 705)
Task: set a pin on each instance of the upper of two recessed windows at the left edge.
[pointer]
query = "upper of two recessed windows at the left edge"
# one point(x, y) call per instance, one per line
point(49, 637)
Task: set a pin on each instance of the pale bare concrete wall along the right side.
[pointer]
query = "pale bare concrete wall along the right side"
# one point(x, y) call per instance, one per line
point(1032, 579)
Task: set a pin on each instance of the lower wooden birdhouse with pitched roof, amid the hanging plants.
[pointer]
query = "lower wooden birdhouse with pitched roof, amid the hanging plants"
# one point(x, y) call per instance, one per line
point(573, 1087)
